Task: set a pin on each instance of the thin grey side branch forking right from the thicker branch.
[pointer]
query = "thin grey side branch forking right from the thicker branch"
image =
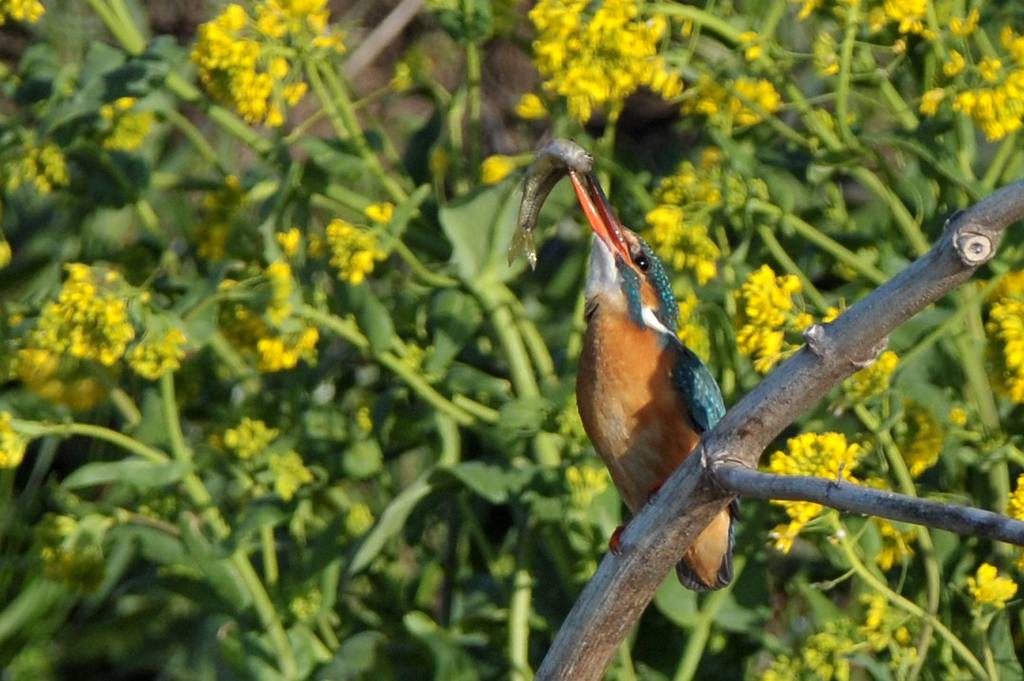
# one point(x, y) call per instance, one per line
point(882, 503)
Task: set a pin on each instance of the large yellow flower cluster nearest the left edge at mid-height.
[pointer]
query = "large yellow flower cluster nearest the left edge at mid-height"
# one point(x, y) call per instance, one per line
point(89, 321)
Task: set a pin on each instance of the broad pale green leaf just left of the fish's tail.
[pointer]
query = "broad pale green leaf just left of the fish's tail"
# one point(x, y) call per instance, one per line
point(481, 229)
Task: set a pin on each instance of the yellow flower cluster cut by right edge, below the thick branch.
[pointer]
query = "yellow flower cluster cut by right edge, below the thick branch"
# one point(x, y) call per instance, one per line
point(1006, 327)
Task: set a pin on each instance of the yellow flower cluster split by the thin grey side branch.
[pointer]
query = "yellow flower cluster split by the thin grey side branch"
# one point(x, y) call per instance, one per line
point(820, 455)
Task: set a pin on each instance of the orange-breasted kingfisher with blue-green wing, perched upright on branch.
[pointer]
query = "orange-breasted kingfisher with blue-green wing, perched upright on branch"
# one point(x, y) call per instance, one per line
point(646, 399)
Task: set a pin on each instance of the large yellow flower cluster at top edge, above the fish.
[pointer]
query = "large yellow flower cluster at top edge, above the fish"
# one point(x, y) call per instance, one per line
point(599, 57)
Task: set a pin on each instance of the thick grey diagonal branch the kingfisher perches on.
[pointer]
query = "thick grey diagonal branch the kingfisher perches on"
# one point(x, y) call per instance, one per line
point(656, 539)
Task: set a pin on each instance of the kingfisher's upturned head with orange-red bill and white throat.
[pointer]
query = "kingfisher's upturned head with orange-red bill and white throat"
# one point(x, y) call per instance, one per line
point(624, 271)
